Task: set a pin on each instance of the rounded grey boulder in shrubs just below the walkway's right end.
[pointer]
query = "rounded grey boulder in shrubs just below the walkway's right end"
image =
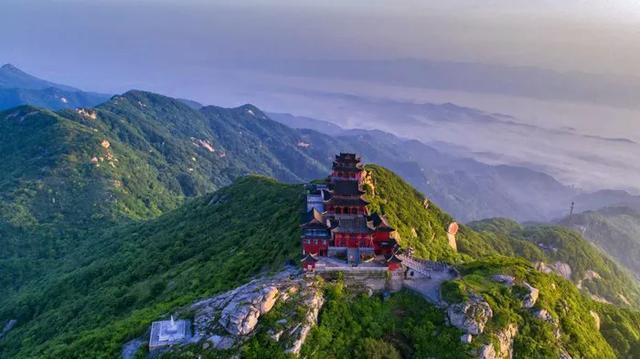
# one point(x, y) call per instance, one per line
point(470, 316)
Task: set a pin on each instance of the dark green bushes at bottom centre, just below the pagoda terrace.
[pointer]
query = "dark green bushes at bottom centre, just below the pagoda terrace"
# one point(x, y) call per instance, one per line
point(369, 327)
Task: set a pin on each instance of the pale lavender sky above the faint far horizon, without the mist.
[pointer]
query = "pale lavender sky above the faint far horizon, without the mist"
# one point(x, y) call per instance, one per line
point(99, 44)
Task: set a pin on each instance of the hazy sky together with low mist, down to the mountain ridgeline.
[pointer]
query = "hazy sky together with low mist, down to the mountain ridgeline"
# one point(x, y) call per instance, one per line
point(225, 53)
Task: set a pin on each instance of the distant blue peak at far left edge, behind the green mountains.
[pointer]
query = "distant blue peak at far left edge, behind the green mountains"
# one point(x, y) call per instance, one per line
point(19, 88)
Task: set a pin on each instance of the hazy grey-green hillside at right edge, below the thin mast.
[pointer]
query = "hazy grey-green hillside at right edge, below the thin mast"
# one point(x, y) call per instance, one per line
point(616, 230)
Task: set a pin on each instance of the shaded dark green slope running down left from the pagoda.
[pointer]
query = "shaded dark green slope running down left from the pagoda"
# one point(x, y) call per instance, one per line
point(139, 272)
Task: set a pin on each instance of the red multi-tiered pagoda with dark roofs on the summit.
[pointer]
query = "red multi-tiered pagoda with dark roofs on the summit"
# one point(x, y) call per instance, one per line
point(342, 227)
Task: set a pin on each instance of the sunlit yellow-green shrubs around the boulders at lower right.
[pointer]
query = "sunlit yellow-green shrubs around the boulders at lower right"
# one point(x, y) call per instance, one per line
point(570, 310)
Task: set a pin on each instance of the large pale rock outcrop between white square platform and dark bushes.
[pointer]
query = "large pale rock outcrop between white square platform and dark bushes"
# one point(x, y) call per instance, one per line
point(238, 312)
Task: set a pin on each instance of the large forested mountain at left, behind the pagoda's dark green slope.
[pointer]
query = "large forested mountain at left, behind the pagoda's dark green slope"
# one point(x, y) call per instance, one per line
point(67, 175)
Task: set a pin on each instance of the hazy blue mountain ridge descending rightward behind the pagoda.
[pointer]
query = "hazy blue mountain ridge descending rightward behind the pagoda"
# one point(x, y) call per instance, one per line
point(467, 188)
